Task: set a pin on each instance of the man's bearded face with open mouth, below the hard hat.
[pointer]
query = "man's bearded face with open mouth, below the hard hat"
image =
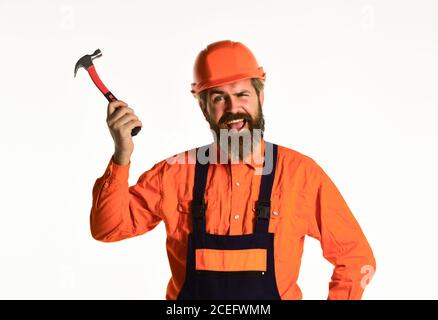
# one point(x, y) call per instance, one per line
point(234, 112)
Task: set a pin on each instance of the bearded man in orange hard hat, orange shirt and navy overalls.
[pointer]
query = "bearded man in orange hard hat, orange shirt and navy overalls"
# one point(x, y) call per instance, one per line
point(236, 211)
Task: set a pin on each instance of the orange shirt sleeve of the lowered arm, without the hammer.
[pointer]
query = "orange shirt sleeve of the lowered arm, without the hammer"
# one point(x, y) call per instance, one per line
point(342, 240)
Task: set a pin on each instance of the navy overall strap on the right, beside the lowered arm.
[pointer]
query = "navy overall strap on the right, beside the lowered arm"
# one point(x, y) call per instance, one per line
point(263, 205)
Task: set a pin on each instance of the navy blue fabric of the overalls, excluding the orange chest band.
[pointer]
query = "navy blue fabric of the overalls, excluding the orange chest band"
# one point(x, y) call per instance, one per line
point(236, 285)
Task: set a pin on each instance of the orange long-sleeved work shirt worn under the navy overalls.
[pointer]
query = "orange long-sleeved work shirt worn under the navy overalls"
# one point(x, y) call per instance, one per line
point(304, 202)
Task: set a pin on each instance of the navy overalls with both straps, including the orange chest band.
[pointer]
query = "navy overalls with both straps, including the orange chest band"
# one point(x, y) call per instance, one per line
point(237, 267)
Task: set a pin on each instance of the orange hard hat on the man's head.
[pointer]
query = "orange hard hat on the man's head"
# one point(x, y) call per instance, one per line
point(224, 62)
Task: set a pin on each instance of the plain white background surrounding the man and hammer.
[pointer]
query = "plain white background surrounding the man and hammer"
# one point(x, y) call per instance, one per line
point(352, 84)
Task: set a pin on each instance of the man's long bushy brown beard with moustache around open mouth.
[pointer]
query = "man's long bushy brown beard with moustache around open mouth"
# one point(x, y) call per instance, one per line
point(236, 146)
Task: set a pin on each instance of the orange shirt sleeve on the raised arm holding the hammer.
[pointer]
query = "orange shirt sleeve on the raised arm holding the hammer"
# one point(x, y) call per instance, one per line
point(119, 211)
